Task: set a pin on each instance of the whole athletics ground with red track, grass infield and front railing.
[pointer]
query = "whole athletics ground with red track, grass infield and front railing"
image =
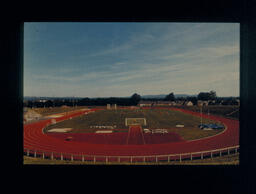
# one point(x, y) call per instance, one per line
point(130, 135)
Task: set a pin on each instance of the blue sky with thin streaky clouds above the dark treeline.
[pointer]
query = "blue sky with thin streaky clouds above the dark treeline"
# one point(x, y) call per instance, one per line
point(118, 59)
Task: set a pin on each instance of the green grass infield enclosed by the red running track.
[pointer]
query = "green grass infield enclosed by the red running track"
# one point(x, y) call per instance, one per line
point(155, 118)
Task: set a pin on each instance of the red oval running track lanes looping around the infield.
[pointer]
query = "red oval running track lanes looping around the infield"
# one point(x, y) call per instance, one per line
point(35, 139)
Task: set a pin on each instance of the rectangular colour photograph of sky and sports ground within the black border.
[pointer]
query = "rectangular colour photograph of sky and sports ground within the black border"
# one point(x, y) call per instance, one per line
point(118, 87)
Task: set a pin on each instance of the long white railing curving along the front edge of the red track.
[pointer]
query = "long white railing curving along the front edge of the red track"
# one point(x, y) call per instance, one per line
point(118, 159)
